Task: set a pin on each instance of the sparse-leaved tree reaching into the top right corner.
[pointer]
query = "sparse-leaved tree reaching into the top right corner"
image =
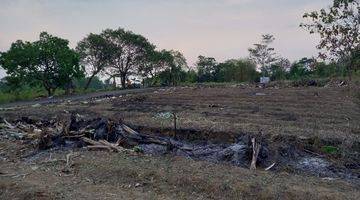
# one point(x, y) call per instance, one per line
point(339, 30)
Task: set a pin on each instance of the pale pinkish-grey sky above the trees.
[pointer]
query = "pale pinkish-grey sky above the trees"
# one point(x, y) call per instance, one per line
point(222, 29)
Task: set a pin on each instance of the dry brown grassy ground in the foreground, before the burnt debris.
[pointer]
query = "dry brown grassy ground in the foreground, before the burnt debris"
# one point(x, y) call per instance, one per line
point(100, 175)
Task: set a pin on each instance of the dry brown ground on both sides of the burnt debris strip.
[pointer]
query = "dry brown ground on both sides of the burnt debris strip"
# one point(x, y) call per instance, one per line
point(319, 117)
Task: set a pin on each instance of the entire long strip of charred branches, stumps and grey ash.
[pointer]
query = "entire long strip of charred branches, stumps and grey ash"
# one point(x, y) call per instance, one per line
point(105, 134)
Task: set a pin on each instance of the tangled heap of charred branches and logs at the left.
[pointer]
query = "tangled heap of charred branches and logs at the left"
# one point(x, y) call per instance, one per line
point(97, 133)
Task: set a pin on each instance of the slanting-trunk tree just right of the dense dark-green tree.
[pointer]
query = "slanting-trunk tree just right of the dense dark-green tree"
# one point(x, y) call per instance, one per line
point(95, 53)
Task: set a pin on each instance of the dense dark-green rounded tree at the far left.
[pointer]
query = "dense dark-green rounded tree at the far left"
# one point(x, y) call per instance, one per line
point(48, 61)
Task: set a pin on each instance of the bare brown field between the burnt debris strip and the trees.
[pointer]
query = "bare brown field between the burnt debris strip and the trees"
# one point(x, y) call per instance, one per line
point(301, 112)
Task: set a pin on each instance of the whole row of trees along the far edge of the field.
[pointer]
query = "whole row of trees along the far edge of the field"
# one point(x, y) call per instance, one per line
point(118, 57)
